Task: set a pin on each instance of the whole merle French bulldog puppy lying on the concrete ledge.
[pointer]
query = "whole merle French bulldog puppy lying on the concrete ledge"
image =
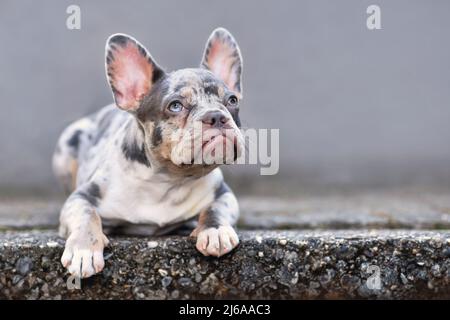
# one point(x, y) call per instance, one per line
point(134, 161)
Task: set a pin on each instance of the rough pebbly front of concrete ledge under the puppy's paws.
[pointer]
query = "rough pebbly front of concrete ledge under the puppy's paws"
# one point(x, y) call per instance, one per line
point(267, 264)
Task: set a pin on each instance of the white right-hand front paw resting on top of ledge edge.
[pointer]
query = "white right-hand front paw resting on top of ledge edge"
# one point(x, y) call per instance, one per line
point(216, 241)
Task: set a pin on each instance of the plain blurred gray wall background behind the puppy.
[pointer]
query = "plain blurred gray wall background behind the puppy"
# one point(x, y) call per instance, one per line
point(354, 107)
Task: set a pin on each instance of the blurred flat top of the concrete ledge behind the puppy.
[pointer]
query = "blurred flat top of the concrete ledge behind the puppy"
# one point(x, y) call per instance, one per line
point(382, 210)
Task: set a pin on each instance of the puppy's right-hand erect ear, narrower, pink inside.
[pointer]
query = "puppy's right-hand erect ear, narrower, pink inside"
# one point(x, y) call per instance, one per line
point(223, 58)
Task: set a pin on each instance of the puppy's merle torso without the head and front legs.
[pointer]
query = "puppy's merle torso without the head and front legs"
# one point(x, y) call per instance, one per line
point(114, 176)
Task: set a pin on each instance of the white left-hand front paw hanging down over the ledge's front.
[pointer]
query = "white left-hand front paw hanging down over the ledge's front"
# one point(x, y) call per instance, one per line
point(83, 254)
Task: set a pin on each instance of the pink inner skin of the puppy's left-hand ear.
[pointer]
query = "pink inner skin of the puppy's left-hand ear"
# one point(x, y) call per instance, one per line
point(130, 75)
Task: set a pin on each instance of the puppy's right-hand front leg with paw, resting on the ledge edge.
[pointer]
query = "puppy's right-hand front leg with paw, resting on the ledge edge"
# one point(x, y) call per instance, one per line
point(215, 233)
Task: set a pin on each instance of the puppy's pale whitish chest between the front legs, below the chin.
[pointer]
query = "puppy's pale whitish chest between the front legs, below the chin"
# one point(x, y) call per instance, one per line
point(158, 203)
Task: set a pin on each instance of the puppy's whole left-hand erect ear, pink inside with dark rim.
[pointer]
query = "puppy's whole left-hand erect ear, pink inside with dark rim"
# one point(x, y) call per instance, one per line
point(131, 71)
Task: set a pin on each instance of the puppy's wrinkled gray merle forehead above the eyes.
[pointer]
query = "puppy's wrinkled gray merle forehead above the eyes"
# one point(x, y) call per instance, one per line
point(195, 85)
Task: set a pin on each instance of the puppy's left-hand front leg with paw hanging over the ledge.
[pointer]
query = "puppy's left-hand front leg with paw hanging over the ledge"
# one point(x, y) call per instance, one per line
point(80, 223)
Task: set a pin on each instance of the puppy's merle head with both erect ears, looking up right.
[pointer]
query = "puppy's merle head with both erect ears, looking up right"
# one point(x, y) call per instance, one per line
point(189, 117)
